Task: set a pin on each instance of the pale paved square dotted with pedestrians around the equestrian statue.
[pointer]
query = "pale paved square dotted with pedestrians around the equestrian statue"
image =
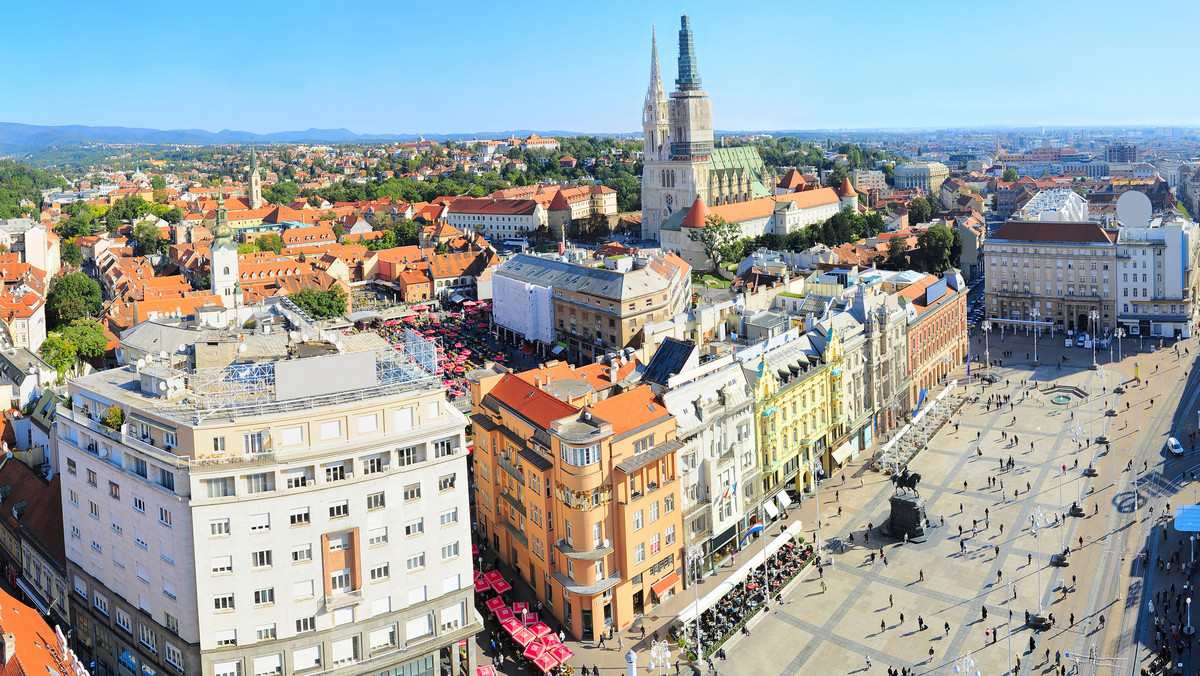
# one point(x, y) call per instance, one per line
point(875, 608)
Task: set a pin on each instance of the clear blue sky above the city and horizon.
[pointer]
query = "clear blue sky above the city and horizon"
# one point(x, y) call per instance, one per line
point(413, 68)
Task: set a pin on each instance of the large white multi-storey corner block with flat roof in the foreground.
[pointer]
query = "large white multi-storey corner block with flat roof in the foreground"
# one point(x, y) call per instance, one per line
point(259, 504)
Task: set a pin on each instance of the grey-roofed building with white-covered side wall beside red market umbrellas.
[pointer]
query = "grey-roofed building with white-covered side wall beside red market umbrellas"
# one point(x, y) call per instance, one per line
point(584, 312)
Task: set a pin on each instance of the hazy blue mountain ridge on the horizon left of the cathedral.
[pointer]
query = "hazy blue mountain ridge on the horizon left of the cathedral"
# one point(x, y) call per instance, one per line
point(19, 137)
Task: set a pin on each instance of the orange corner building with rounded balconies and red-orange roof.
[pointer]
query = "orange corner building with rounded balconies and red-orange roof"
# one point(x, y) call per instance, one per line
point(580, 494)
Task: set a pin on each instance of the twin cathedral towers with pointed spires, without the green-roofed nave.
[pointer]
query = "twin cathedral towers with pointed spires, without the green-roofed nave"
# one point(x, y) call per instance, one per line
point(677, 160)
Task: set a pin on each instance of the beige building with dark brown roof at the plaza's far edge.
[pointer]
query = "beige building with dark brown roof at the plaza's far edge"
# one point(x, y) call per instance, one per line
point(1065, 271)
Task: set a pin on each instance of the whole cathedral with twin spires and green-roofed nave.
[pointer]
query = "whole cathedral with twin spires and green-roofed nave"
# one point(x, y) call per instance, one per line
point(681, 163)
